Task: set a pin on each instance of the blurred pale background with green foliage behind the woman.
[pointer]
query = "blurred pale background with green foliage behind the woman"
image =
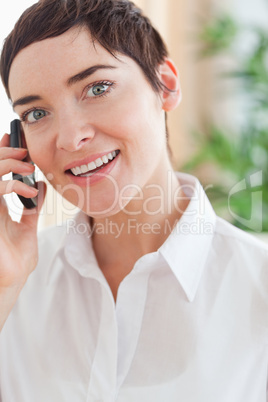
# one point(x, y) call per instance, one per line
point(220, 130)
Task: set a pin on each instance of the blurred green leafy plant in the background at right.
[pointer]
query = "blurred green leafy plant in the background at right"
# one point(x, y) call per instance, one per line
point(237, 157)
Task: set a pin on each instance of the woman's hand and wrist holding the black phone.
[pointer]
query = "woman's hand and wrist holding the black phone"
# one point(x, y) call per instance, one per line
point(18, 240)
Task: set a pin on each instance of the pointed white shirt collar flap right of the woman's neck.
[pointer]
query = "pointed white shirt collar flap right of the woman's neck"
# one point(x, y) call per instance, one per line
point(186, 249)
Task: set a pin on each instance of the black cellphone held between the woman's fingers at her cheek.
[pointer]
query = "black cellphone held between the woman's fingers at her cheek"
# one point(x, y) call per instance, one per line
point(16, 141)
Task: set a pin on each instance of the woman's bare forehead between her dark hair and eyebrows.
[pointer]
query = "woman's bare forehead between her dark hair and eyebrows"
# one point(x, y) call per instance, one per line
point(56, 59)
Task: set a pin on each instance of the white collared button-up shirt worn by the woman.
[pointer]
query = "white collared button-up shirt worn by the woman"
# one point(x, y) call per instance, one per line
point(190, 323)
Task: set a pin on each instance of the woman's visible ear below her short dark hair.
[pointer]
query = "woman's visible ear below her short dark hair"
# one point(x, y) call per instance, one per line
point(169, 77)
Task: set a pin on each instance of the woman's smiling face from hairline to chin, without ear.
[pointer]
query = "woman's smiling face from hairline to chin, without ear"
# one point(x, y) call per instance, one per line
point(92, 122)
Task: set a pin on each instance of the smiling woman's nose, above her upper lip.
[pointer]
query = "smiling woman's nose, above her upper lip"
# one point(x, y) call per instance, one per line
point(73, 132)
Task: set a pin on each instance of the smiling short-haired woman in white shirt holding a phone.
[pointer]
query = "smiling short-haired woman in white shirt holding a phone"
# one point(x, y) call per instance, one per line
point(146, 294)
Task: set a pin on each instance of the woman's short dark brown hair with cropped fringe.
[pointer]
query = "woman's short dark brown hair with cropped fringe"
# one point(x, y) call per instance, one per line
point(118, 25)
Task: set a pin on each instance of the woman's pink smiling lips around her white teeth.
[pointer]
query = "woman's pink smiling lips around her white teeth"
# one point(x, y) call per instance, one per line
point(96, 177)
